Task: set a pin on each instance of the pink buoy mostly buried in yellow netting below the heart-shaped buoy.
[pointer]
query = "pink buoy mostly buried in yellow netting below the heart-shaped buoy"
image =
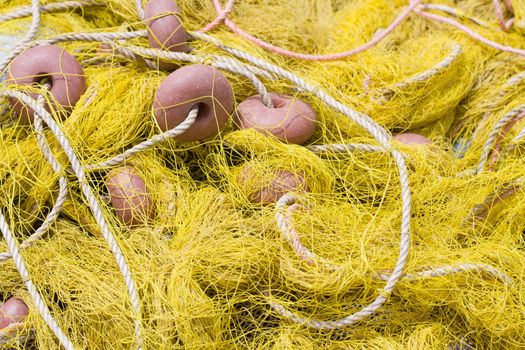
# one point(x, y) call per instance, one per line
point(283, 181)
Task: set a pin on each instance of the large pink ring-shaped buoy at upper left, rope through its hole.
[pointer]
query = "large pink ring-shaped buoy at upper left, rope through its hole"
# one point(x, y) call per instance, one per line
point(63, 72)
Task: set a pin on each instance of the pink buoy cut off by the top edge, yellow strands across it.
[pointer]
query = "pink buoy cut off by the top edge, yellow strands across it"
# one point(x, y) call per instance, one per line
point(165, 28)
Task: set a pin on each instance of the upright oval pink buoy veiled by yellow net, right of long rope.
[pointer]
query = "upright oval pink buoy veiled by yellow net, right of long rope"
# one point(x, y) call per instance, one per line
point(129, 196)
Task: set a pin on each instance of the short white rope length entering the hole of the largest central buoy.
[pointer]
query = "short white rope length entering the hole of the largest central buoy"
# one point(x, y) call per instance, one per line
point(179, 129)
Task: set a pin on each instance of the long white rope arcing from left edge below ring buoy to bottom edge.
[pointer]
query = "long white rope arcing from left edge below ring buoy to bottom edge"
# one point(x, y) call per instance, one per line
point(93, 204)
